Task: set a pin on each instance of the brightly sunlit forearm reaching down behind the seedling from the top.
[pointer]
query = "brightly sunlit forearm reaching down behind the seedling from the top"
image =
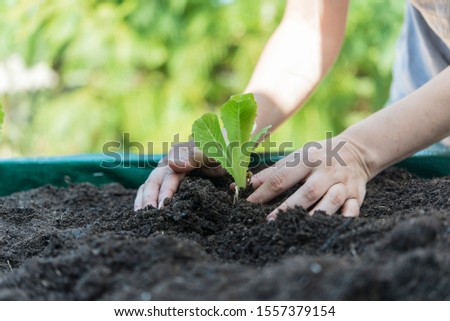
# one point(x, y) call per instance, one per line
point(297, 57)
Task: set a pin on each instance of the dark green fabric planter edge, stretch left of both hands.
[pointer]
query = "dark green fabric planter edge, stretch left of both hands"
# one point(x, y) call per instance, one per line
point(19, 174)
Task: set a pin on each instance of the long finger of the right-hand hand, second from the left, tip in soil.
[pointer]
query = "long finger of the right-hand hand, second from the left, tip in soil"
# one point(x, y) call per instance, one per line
point(307, 195)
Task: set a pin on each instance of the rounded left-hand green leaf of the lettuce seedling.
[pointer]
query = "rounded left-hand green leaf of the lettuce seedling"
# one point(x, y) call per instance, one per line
point(209, 138)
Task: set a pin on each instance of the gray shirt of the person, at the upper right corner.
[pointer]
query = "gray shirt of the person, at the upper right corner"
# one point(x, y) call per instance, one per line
point(423, 49)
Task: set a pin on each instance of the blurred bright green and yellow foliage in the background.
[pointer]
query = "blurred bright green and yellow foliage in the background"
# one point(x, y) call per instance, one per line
point(75, 74)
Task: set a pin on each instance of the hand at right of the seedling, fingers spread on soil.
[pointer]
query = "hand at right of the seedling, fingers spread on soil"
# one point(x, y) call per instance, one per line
point(333, 173)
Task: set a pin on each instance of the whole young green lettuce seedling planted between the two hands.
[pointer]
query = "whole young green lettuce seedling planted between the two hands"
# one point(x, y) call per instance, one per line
point(232, 145)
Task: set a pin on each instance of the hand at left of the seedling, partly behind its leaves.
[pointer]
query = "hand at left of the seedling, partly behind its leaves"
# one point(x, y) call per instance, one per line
point(164, 180)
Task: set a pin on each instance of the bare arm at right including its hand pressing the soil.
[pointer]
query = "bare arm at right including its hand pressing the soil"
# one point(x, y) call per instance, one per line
point(367, 148)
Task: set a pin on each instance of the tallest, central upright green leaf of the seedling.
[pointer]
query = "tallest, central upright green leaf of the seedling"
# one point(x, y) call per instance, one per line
point(238, 115)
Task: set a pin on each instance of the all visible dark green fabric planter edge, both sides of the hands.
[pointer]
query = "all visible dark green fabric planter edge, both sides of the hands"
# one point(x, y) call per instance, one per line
point(20, 174)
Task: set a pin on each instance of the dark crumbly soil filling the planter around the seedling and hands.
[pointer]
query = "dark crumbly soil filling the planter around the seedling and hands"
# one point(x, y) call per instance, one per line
point(86, 243)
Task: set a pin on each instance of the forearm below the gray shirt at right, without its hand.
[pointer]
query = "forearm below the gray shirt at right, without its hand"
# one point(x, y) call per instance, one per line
point(398, 131)
